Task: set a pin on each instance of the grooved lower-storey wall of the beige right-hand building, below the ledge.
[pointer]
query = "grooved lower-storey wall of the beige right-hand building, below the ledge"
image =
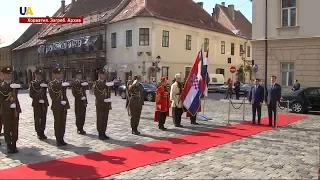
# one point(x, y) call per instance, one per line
point(304, 53)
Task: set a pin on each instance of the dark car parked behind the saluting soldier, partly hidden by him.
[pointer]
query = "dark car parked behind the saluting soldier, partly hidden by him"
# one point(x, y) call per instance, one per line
point(149, 91)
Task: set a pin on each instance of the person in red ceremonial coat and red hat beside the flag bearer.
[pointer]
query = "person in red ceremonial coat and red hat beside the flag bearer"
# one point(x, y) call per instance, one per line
point(162, 104)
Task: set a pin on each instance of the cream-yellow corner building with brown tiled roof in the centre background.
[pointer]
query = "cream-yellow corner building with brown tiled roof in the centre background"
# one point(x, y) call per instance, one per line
point(146, 35)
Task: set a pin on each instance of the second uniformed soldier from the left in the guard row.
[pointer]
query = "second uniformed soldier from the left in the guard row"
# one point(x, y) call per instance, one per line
point(38, 93)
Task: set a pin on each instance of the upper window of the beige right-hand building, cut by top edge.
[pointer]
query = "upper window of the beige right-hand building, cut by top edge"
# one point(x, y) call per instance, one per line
point(289, 13)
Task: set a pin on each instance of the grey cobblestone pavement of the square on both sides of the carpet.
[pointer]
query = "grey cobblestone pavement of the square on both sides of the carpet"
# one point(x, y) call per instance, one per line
point(291, 152)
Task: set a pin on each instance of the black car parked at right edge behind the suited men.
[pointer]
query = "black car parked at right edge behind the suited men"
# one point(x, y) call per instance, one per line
point(303, 100)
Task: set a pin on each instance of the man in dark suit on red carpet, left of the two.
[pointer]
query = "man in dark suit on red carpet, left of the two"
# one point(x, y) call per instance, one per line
point(256, 99)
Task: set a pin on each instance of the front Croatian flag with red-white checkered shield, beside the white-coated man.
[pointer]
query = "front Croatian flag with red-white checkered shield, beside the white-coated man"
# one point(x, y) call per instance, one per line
point(191, 92)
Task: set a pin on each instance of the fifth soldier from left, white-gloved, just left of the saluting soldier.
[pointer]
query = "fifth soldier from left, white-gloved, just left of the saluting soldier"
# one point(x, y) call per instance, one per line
point(102, 91)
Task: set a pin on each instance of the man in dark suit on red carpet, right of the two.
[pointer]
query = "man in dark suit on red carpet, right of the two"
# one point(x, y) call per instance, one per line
point(273, 96)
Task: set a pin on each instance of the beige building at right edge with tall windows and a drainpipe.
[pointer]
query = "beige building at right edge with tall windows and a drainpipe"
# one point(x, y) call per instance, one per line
point(293, 40)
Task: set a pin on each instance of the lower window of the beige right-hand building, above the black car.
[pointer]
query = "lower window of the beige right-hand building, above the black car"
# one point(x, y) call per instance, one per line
point(287, 74)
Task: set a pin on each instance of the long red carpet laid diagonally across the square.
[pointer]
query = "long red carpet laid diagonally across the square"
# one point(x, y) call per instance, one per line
point(106, 163)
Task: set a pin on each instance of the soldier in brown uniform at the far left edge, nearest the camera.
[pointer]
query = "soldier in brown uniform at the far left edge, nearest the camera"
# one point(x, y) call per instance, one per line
point(10, 110)
